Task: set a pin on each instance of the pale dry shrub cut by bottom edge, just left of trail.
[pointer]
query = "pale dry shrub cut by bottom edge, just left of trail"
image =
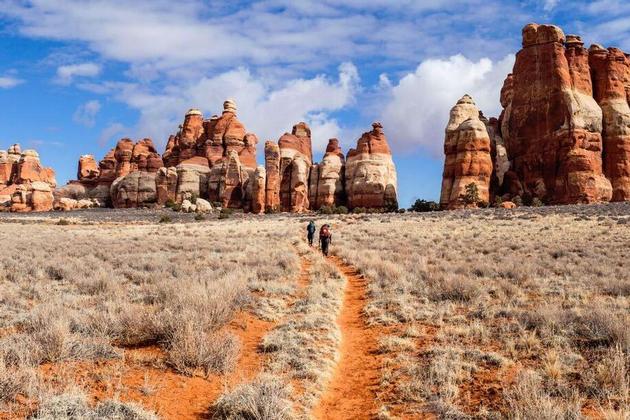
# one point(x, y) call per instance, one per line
point(265, 398)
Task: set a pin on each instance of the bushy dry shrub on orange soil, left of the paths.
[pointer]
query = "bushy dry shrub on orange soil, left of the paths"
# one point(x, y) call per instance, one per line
point(191, 348)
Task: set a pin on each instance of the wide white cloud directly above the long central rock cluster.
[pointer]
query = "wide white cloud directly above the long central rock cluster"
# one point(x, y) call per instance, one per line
point(266, 109)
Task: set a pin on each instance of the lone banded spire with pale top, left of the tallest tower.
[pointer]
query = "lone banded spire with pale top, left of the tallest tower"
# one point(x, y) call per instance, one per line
point(468, 156)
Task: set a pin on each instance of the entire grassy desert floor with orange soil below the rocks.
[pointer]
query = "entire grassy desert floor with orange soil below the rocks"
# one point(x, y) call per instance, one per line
point(521, 314)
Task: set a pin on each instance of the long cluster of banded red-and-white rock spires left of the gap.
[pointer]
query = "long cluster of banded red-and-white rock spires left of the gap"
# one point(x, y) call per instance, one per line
point(215, 159)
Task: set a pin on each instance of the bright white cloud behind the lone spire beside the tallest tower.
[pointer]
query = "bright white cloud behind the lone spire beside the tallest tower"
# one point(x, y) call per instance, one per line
point(418, 107)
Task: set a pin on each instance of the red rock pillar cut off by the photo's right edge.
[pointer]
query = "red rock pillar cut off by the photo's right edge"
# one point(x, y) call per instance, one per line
point(610, 70)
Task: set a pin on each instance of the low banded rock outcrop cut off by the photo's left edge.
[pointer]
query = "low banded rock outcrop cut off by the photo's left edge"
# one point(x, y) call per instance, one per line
point(25, 185)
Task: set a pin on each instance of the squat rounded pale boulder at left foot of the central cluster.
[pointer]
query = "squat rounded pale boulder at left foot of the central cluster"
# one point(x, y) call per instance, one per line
point(136, 189)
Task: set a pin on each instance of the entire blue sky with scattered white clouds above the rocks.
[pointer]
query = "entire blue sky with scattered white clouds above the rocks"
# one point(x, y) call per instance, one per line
point(75, 76)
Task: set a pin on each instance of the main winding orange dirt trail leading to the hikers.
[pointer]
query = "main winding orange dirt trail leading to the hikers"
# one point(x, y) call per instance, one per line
point(351, 393)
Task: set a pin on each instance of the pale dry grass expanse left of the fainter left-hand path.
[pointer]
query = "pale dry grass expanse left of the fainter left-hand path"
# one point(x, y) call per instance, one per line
point(88, 292)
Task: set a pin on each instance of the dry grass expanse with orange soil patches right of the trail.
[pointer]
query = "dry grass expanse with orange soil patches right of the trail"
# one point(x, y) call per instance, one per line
point(498, 314)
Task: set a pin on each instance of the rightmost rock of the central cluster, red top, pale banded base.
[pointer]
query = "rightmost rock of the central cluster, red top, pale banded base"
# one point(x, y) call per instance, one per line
point(370, 174)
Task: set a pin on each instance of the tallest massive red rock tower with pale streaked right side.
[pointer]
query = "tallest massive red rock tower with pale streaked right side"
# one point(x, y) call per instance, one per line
point(551, 124)
